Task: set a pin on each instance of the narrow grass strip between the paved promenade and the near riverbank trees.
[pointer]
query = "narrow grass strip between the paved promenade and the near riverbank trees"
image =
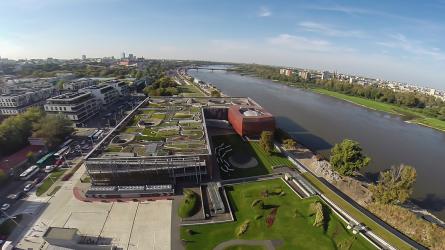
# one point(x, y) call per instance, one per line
point(377, 229)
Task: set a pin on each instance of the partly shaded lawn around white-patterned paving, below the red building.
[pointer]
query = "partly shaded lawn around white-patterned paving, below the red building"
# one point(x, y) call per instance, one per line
point(265, 162)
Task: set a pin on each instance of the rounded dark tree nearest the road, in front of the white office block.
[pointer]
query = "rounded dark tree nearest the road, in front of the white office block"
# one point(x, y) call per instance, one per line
point(53, 129)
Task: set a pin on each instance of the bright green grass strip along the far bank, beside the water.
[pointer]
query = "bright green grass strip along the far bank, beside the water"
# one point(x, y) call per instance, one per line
point(412, 115)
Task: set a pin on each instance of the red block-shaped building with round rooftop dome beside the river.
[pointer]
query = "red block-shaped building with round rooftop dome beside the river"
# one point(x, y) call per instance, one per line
point(250, 120)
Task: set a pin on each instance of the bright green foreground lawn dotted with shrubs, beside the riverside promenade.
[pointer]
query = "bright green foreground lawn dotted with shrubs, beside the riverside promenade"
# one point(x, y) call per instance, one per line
point(292, 224)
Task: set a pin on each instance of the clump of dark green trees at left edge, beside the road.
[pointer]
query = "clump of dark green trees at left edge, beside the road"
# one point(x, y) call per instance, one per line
point(15, 131)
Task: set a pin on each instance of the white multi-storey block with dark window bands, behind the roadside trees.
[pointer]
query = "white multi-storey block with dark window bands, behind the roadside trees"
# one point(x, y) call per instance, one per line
point(78, 107)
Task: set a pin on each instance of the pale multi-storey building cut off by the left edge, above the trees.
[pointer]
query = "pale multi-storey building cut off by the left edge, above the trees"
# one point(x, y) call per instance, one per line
point(16, 101)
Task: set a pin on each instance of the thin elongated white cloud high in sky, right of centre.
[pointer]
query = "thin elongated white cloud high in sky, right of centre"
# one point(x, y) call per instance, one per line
point(329, 30)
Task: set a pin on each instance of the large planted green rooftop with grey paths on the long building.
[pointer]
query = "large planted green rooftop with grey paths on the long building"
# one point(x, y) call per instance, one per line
point(163, 126)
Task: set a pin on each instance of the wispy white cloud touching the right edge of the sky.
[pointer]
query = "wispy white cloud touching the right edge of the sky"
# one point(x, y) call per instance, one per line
point(400, 41)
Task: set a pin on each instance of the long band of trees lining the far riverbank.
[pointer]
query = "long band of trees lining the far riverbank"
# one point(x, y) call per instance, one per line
point(426, 104)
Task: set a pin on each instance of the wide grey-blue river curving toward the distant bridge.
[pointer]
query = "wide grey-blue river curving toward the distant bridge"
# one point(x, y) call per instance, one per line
point(319, 121)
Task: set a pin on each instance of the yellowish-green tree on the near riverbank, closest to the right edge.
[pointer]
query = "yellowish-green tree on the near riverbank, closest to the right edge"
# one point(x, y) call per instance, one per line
point(395, 185)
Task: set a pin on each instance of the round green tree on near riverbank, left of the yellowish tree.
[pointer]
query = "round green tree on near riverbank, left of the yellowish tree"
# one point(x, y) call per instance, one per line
point(347, 157)
